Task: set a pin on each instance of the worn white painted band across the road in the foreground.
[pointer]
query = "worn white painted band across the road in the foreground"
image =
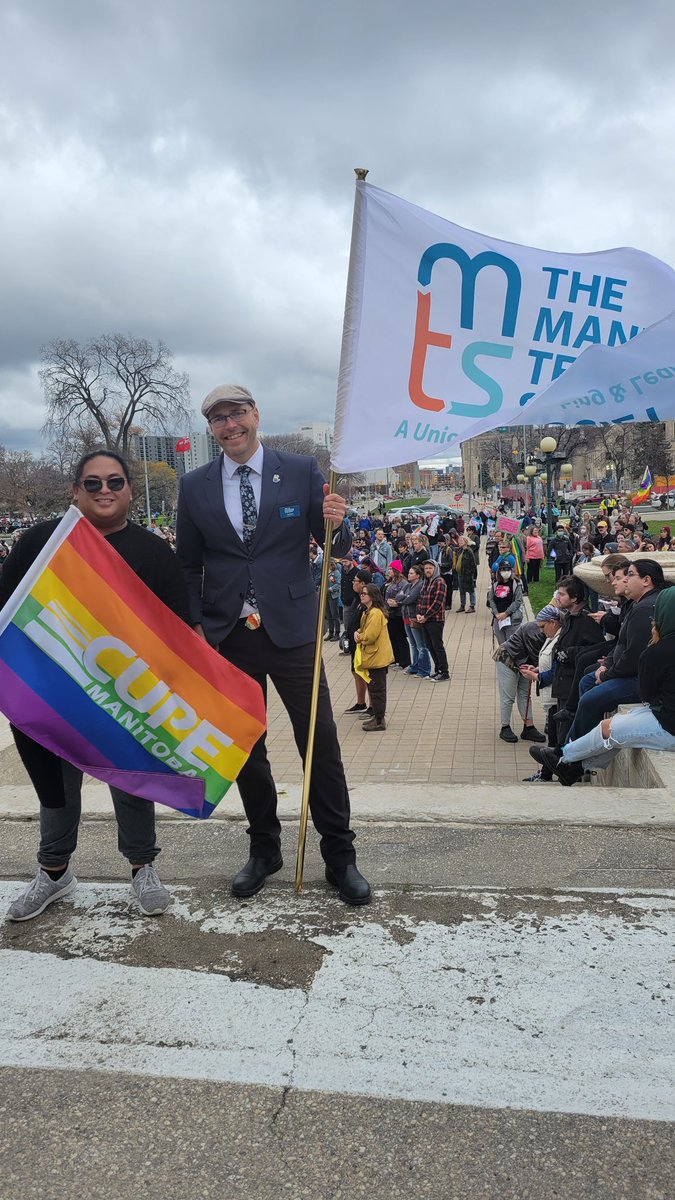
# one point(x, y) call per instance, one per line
point(568, 1013)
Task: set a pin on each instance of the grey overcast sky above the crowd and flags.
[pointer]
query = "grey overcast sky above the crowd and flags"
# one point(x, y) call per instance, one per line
point(182, 170)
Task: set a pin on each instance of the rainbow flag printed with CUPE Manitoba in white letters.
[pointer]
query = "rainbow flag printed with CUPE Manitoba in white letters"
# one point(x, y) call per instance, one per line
point(97, 669)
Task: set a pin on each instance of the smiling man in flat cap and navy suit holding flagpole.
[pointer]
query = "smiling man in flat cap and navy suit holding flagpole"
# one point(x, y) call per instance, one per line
point(243, 535)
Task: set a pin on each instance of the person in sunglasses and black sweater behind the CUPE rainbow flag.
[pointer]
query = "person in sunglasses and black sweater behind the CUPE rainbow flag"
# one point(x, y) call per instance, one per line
point(103, 493)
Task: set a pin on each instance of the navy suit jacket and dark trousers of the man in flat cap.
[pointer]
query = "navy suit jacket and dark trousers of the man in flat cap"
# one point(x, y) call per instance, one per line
point(218, 568)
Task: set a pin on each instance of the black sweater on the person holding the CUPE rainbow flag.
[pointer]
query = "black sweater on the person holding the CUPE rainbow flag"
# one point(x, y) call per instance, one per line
point(150, 557)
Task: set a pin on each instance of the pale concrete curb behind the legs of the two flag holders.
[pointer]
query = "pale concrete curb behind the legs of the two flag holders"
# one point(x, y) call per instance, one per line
point(441, 805)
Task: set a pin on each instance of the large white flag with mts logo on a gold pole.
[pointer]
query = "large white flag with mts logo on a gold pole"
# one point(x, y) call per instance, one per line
point(450, 334)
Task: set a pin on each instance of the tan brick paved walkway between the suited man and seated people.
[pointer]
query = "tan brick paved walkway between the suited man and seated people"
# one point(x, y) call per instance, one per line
point(435, 733)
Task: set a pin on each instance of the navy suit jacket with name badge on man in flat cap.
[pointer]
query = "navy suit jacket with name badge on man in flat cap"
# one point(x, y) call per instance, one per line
point(217, 563)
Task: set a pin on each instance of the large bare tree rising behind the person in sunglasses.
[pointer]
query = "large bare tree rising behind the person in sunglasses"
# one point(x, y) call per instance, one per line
point(107, 386)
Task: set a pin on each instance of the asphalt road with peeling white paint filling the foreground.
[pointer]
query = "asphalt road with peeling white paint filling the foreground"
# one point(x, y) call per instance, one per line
point(499, 1024)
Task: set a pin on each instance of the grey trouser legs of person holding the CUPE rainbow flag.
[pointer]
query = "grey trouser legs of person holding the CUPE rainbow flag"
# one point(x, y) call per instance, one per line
point(59, 827)
